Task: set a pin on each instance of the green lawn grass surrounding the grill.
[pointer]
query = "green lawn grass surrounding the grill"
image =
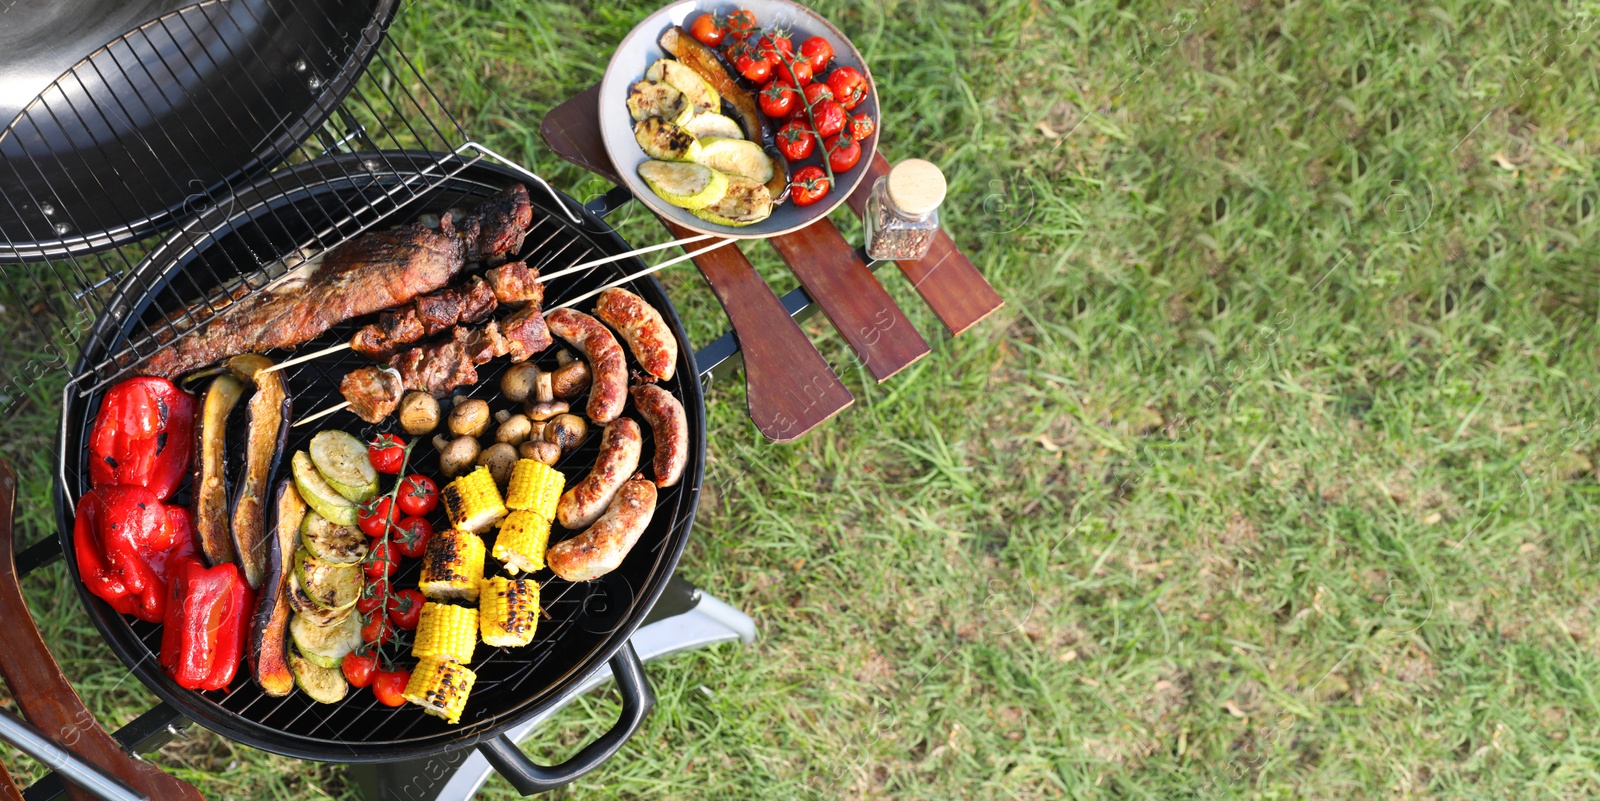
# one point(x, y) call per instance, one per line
point(1276, 477)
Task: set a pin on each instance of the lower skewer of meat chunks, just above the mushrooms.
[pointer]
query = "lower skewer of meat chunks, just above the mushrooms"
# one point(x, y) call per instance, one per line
point(444, 365)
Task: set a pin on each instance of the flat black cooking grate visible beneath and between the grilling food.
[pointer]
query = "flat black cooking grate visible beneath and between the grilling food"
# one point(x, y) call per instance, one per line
point(583, 620)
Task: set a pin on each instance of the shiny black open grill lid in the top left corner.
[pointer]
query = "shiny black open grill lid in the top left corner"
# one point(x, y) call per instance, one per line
point(126, 118)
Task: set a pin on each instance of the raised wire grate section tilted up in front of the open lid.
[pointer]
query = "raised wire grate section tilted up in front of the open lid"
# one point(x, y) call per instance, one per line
point(351, 94)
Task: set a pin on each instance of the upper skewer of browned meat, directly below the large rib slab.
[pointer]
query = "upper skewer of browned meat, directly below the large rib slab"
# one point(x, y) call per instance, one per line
point(511, 284)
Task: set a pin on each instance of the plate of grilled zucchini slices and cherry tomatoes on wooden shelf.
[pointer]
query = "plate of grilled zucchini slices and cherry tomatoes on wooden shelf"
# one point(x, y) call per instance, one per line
point(684, 89)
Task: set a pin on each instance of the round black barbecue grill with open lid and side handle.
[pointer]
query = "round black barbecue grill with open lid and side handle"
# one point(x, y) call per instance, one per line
point(140, 266)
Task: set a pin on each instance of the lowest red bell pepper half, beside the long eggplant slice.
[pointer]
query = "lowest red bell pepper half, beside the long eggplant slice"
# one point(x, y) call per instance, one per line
point(209, 613)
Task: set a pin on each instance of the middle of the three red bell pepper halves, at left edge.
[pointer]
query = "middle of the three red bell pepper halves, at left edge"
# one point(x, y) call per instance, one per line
point(122, 536)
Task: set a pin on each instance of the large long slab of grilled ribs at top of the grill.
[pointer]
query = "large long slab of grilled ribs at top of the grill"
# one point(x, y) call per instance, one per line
point(364, 276)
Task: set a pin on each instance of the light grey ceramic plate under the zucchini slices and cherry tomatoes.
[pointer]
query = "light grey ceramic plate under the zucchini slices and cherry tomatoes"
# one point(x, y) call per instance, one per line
point(641, 49)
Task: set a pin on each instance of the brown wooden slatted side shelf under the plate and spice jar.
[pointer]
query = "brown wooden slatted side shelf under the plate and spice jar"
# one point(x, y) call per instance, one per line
point(791, 388)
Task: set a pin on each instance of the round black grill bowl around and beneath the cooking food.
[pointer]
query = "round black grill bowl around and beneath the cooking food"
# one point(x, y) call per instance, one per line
point(588, 623)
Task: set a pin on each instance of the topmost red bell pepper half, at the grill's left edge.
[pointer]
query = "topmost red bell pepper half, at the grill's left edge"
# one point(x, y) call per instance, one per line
point(143, 437)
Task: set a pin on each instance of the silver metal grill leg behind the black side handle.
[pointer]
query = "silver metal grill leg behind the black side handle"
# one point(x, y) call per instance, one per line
point(684, 620)
